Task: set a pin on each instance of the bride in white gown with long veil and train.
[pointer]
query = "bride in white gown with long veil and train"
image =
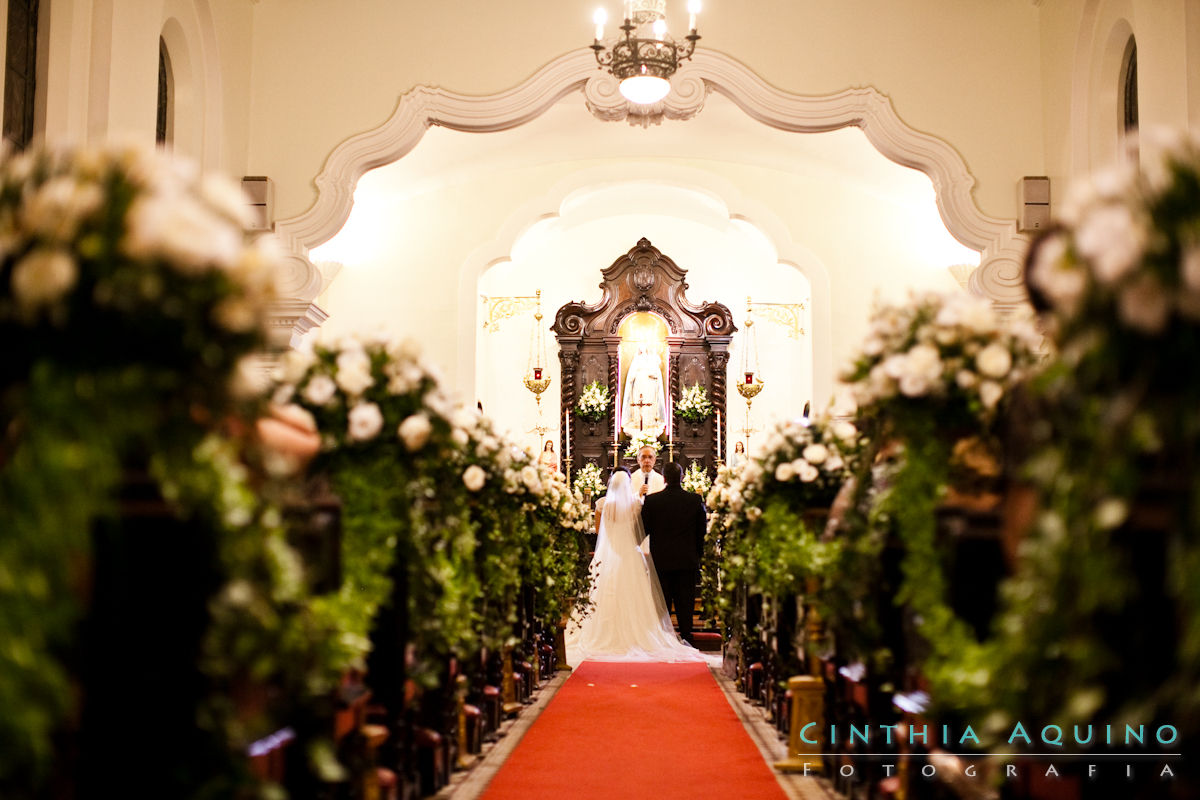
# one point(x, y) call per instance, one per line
point(628, 619)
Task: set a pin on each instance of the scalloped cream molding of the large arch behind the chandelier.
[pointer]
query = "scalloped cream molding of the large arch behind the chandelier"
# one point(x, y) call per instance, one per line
point(1003, 248)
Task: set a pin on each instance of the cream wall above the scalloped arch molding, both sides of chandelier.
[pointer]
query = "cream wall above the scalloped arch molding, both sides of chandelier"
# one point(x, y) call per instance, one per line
point(964, 71)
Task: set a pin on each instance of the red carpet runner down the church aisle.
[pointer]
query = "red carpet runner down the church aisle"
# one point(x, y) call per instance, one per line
point(658, 731)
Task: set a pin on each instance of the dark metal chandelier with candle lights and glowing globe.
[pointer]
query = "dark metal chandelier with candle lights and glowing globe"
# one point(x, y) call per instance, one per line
point(645, 63)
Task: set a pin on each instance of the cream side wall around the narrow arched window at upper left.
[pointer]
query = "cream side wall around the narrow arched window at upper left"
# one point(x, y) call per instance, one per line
point(101, 82)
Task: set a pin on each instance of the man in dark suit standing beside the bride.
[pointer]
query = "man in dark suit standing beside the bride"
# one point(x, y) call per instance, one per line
point(675, 524)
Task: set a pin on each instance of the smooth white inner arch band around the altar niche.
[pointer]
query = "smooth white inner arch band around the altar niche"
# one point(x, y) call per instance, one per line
point(549, 206)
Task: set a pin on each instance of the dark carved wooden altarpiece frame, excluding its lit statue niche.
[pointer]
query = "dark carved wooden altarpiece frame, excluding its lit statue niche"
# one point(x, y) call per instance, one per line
point(644, 280)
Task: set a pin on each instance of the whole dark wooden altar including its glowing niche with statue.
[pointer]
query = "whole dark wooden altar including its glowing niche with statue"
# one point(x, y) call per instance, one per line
point(645, 342)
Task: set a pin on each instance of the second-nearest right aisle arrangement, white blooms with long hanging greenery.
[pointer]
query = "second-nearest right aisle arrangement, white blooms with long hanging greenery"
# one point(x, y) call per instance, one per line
point(931, 378)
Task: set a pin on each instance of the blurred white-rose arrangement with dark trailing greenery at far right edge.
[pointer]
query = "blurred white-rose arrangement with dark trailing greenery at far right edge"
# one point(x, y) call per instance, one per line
point(1118, 543)
